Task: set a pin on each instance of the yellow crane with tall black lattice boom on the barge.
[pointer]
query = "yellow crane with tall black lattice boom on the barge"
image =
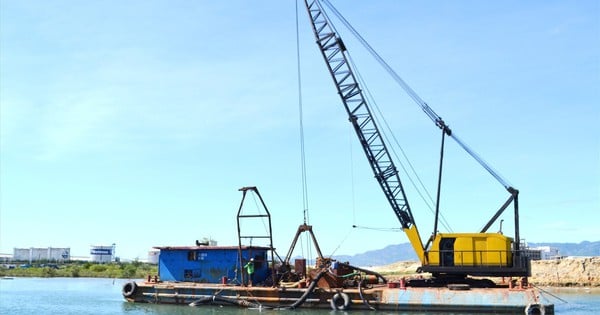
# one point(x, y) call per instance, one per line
point(446, 254)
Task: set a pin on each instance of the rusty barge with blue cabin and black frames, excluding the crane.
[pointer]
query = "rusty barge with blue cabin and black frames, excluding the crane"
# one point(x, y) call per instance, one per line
point(219, 275)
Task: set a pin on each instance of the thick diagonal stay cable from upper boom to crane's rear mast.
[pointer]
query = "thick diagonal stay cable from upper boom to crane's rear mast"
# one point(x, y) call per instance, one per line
point(428, 110)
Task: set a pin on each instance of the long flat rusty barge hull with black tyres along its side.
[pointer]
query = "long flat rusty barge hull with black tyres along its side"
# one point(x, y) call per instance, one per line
point(379, 297)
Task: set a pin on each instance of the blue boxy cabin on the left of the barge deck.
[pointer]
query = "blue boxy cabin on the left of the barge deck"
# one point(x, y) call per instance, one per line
point(210, 264)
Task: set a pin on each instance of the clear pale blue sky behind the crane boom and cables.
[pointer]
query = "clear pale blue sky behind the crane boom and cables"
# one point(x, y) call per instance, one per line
point(136, 122)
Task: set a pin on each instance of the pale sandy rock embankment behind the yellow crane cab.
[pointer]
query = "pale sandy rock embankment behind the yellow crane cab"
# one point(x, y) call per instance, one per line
point(570, 271)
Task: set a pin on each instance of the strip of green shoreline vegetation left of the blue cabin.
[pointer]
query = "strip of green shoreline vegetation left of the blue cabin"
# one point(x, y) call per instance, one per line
point(133, 270)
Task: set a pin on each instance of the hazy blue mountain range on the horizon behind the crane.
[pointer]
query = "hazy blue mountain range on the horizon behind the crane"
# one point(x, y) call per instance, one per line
point(404, 251)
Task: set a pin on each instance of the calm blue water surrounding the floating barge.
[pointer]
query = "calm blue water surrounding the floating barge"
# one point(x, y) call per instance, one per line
point(103, 296)
